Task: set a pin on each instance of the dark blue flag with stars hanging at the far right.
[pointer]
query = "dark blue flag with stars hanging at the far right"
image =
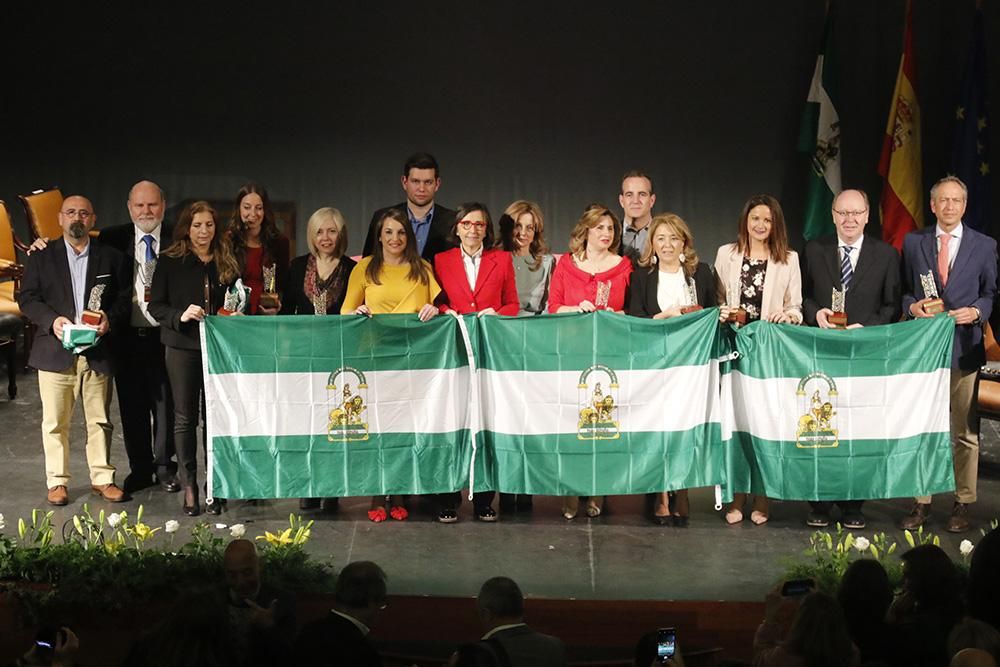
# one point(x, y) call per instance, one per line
point(970, 147)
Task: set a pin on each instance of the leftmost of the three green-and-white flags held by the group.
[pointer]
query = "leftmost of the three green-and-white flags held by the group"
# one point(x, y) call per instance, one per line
point(335, 406)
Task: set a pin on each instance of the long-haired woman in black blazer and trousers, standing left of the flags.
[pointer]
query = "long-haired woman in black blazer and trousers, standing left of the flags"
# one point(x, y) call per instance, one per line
point(190, 282)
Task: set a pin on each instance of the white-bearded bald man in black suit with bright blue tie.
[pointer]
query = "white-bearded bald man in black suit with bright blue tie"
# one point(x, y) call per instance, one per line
point(144, 399)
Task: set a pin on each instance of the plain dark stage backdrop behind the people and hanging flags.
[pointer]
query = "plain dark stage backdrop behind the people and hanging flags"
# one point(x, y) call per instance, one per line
point(321, 102)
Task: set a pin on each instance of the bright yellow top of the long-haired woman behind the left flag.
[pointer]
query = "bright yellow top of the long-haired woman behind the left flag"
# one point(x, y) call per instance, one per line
point(396, 293)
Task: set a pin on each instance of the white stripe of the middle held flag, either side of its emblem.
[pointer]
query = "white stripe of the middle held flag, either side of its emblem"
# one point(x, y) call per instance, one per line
point(539, 403)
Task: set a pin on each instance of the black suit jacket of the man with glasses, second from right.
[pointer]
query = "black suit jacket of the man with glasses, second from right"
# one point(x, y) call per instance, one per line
point(873, 296)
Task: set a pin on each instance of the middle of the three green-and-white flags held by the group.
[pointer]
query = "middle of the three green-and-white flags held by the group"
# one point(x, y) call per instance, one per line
point(601, 403)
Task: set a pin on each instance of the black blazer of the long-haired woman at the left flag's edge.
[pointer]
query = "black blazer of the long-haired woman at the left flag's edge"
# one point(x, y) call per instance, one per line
point(179, 282)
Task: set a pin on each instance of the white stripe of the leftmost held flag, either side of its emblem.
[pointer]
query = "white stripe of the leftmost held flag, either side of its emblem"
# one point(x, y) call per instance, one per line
point(268, 404)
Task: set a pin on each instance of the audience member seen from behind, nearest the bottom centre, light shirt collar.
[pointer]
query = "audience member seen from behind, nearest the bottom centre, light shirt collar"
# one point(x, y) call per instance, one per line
point(501, 610)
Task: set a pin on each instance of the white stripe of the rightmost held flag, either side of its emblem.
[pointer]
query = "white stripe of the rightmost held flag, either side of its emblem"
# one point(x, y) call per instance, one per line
point(868, 408)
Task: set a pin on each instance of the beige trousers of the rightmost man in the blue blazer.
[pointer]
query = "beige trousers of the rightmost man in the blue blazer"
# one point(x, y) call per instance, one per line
point(964, 436)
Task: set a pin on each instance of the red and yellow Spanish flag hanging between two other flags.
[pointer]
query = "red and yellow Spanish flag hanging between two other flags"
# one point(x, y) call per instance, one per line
point(902, 201)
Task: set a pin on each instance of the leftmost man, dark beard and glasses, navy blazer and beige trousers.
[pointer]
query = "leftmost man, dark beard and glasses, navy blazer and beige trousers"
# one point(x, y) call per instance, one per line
point(70, 276)
